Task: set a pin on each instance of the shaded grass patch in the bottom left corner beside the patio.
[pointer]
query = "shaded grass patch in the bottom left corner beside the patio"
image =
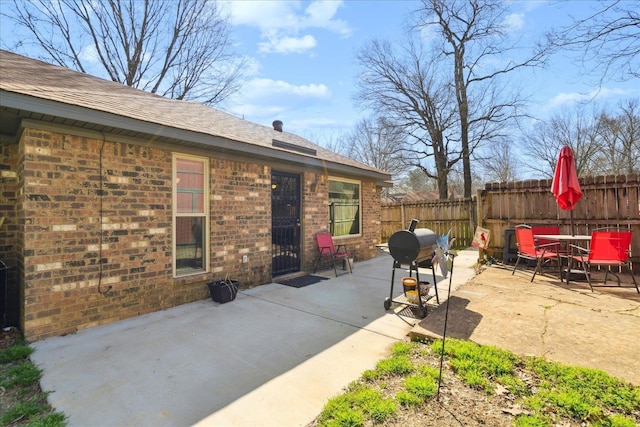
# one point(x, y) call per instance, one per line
point(23, 401)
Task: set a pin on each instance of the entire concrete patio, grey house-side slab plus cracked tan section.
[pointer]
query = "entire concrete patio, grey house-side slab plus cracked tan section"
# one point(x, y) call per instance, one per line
point(276, 354)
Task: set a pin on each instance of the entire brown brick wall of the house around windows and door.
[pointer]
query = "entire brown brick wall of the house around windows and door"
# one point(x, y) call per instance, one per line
point(77, 270)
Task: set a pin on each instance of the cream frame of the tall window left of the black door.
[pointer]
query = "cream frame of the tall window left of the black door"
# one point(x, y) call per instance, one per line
point(175, 214)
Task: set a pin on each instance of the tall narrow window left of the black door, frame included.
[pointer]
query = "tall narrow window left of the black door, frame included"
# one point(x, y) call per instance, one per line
point(190, 215)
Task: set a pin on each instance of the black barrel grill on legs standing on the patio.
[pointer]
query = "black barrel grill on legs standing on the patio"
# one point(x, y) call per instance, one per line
point(412, 248)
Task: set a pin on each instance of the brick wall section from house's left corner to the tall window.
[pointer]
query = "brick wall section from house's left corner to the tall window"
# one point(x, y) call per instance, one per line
point(64, 254)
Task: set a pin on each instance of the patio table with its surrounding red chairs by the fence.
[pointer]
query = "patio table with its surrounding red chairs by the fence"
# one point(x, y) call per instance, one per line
point(605, 249)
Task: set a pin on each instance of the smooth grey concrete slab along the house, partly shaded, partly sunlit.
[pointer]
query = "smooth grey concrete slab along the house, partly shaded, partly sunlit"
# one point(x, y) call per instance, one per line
point(272, 357)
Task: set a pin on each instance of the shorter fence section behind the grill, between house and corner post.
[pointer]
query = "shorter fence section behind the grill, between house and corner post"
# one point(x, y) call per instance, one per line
point(457, 215)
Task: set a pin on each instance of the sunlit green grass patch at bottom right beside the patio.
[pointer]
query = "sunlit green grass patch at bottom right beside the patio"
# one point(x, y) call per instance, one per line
point(553, 392)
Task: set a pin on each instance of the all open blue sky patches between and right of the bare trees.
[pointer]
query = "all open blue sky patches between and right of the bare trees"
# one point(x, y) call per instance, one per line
point(303, 68)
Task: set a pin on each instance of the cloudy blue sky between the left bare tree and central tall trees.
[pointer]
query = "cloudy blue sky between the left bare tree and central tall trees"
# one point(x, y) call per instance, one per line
point(303, 59)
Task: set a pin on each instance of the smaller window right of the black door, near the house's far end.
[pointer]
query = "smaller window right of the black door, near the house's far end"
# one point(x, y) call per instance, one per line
point(344, 207)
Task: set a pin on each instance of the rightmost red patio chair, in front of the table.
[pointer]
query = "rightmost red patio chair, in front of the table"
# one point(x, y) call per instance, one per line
point(609, 247)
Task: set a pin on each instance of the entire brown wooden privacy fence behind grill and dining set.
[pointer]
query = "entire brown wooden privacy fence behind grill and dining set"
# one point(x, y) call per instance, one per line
point(607, 201)
